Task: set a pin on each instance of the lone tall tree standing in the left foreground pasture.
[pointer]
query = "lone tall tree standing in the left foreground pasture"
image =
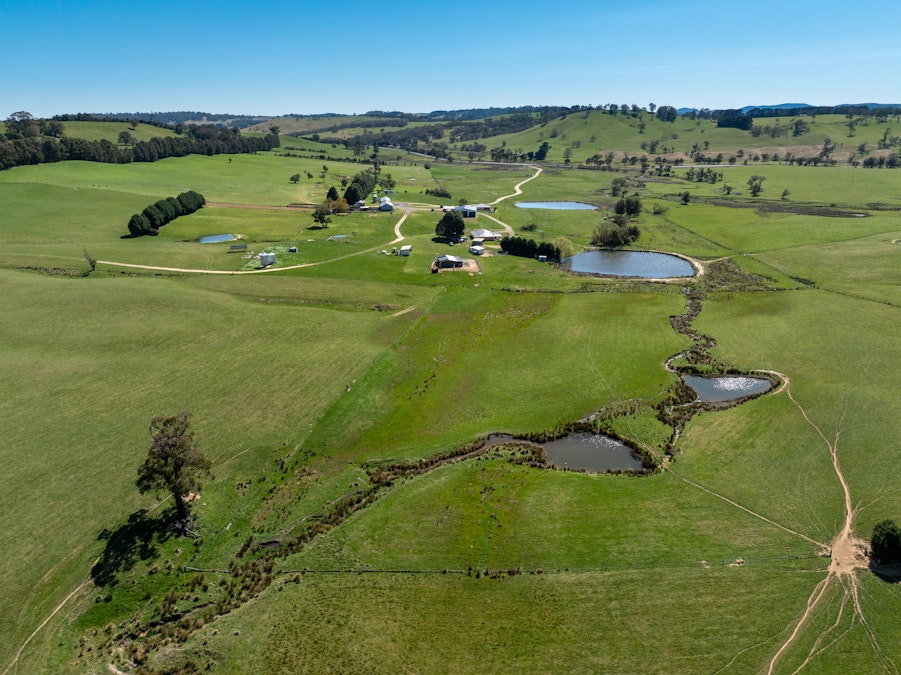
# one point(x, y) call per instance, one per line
point(174, 463)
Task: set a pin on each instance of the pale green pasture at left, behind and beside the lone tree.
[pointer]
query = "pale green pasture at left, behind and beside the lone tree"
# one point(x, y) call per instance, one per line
point(96, 358)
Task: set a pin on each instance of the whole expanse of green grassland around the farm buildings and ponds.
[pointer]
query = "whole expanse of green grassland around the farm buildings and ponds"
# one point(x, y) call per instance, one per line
point(305, 382)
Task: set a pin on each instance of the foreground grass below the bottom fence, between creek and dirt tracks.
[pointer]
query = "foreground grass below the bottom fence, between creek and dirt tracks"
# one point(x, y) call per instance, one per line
point(663, 620)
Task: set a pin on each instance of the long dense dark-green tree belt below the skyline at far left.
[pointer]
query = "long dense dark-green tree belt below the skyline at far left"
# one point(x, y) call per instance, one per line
point(203, 140)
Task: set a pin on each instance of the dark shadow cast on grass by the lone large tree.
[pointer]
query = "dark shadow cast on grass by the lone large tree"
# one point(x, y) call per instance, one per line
point(136, 539)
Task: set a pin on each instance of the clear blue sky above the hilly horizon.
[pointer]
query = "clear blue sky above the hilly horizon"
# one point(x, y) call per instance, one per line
point(274, 57)
